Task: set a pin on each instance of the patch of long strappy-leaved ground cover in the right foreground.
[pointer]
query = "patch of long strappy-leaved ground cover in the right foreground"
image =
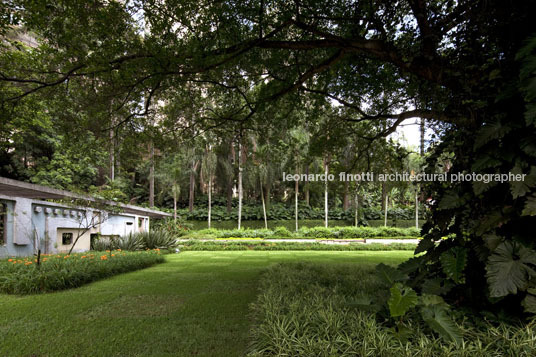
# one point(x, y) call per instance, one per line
point(319, 310)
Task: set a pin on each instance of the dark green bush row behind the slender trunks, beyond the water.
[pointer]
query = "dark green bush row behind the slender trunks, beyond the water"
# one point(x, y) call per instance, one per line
point(284, 212)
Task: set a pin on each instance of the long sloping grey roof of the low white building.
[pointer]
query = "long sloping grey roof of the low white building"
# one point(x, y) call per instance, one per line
point(14, 188)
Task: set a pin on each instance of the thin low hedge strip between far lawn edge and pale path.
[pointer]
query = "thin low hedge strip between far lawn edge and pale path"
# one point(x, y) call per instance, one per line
point(217, 246)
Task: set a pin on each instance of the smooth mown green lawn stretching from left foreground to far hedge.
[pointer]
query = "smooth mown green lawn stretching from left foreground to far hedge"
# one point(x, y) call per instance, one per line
point(194, 304)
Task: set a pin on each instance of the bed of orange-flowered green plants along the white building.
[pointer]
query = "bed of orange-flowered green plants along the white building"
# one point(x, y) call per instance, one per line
point(63, 271)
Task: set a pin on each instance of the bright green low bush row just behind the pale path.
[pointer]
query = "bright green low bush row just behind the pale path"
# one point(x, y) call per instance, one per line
point(305, 232)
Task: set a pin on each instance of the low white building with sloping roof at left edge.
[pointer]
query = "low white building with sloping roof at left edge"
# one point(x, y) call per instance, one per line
point(30, 221)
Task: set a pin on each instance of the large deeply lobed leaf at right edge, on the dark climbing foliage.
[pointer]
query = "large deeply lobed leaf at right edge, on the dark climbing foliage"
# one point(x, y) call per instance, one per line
point(509, 269)
